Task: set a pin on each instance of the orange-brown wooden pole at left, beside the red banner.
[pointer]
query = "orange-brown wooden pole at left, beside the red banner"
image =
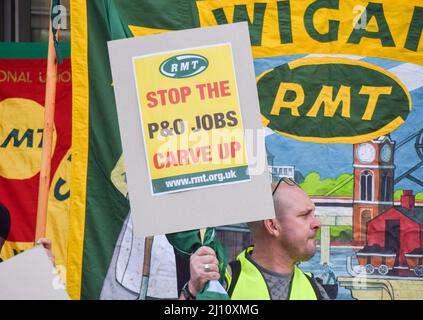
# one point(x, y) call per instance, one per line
point(50, 102)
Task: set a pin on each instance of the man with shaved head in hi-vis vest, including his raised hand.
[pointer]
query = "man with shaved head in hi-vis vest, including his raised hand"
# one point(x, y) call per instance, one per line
point(268, 270)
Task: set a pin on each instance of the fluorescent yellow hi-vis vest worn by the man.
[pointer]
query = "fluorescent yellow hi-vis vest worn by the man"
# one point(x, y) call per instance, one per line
point(248, 283)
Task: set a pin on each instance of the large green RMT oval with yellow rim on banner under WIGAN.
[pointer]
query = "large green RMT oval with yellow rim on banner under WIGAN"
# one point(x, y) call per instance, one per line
point(332, 100)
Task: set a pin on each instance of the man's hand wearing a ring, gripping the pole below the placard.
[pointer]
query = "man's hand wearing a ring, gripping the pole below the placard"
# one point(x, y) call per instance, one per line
point(204, 266)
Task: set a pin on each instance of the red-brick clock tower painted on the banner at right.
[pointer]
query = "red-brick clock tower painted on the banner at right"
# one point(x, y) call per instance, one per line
point(373, 183)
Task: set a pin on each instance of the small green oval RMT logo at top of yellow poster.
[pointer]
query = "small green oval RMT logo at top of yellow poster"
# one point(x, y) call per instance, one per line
point(184, 66)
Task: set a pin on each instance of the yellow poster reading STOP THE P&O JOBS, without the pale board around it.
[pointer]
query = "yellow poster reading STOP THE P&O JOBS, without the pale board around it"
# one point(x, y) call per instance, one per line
point(191, 118)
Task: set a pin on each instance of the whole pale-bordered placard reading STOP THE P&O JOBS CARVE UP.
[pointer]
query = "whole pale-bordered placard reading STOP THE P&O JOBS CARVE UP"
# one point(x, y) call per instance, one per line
point(190, 121)
